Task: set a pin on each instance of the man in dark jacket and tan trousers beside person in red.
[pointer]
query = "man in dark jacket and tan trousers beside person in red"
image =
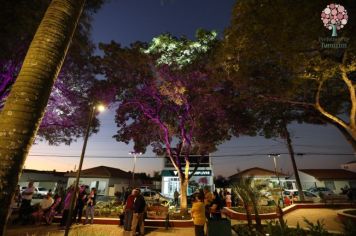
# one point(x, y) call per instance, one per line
point(139, 209)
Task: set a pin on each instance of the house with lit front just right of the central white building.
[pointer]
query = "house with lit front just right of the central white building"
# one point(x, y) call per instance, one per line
point(269, 177)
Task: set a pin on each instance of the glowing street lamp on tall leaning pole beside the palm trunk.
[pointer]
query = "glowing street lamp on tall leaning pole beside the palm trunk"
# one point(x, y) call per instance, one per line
point(94, 108)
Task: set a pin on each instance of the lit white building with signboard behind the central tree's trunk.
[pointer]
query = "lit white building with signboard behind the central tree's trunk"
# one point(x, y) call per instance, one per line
point(203, 176)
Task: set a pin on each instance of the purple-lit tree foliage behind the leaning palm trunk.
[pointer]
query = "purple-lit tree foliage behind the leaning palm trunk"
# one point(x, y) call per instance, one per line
point(64, 119)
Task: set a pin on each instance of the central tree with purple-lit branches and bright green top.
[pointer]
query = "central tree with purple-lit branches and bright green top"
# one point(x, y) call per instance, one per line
point(166, 98)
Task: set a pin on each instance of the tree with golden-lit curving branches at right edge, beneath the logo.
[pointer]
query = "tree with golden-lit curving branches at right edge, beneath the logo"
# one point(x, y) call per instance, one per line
point(314, 77)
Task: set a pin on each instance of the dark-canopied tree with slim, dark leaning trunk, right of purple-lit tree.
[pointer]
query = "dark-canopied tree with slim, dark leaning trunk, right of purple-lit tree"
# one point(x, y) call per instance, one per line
point(269, 67)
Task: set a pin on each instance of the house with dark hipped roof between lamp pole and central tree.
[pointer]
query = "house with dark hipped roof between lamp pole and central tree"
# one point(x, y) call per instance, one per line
point(107, 180)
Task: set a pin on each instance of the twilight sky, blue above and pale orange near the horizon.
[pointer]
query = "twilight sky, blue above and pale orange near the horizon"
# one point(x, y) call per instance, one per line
point(127, 21)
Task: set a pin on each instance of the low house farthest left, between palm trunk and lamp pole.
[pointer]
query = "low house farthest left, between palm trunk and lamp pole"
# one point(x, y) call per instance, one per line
point(45, 179)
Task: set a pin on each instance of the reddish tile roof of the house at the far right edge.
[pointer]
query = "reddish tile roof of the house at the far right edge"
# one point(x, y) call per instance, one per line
point(323, 174)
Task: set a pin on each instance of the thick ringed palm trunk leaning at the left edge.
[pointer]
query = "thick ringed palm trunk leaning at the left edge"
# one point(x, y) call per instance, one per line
point(25, 106)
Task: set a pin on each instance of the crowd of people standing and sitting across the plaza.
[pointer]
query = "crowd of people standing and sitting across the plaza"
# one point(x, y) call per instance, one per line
point(206, 205)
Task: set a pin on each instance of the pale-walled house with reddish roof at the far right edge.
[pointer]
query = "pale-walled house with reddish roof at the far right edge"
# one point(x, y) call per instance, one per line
point(334, 179)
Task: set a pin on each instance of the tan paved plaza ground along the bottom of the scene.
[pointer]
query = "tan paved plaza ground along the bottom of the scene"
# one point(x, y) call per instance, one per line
point(329, 217)
